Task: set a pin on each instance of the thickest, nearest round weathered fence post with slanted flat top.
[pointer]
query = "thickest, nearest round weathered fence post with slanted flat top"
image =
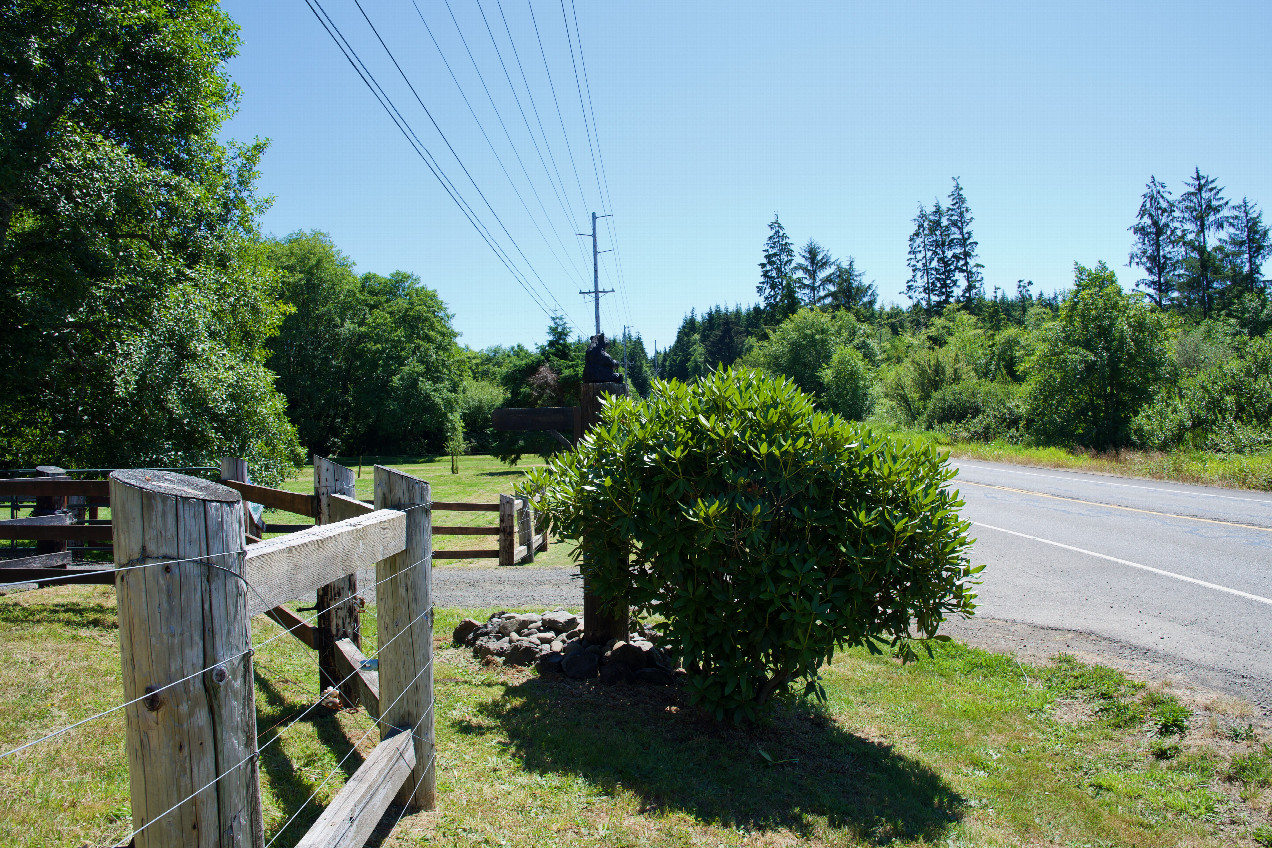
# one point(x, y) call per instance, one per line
point(186, 617)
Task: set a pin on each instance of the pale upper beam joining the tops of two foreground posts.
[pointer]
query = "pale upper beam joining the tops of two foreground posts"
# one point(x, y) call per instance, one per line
point(293, 566)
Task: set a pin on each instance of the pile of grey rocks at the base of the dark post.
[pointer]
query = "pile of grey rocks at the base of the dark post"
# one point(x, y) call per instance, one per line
point(554, 643)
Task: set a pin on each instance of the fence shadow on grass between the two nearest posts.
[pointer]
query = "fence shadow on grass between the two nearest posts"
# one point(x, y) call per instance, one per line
point(291, 786)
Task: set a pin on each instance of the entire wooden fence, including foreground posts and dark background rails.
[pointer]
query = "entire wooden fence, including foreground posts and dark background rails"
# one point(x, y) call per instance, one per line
point(191, 571)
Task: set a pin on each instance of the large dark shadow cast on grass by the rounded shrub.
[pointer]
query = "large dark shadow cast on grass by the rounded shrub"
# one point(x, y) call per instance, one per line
point(648, 741)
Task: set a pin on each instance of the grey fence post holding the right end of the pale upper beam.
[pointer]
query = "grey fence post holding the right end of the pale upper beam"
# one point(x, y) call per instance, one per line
point(404, 602)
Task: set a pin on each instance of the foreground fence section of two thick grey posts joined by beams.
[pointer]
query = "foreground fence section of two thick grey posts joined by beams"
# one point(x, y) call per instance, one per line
point(189, 587)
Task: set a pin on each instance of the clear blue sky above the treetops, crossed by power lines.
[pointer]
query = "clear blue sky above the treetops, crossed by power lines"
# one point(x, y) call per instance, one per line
point(713, 116)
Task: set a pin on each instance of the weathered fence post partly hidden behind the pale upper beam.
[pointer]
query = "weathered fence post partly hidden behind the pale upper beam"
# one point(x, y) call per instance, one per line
point(339, 619)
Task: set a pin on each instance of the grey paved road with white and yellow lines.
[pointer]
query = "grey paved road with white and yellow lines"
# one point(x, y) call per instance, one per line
point(1172, 578)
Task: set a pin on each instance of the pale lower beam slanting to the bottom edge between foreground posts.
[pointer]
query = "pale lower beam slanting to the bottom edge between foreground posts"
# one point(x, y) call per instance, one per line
point(353, 814)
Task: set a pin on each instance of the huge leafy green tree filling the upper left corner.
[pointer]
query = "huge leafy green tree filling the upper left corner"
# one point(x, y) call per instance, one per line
point(135, 306)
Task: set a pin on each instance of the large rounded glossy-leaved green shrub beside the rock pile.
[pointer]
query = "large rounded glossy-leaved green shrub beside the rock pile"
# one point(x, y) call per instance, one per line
point(768, 535)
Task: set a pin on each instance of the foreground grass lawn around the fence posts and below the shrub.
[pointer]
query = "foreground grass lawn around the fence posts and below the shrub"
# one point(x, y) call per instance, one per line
point(964, 749)
